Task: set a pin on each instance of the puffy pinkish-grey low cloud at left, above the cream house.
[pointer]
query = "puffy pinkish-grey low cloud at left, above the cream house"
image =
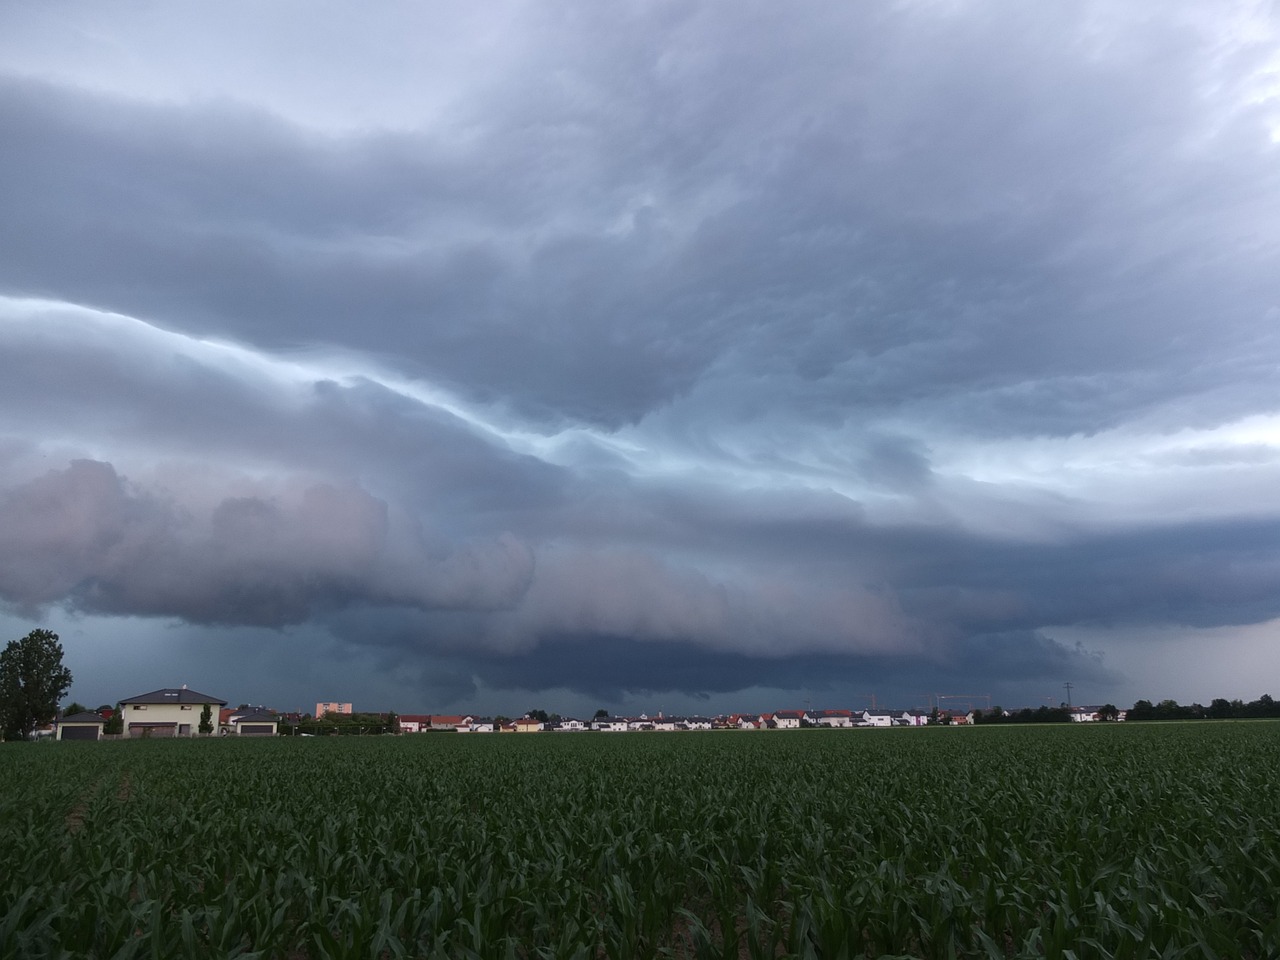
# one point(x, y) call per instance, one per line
point(88, 537)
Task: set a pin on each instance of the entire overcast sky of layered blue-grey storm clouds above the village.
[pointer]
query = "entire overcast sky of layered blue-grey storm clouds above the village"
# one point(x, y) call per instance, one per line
point(643, 355)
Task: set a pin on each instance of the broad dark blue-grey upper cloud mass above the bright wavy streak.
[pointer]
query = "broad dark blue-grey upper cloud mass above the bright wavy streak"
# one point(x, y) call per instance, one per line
point(977, 239)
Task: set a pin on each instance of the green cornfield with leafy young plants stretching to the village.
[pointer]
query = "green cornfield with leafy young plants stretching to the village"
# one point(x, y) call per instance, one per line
point(1066, 842)
